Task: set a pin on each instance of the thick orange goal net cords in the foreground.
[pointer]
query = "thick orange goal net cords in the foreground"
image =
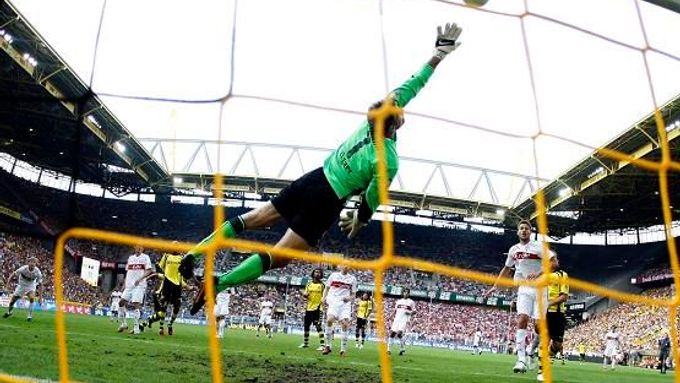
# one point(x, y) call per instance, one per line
point(388, 258)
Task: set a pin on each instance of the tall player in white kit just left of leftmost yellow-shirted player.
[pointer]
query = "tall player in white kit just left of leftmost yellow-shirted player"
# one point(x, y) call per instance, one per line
point(138, 267)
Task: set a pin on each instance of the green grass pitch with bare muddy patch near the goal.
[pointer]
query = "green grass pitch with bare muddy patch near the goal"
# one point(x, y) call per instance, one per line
point(98, 354)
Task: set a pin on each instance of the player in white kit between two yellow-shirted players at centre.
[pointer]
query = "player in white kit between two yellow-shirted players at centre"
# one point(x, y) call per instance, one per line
point(340, 290)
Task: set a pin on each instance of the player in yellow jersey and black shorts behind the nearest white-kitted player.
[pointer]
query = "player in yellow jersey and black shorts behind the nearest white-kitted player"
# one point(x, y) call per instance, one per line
point(558, 293)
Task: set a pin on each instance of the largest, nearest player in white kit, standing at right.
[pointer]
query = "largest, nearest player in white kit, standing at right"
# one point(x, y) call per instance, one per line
point(525, 257)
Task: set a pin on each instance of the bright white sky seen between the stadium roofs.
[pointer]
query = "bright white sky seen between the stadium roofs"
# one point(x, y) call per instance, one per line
point(303, 72)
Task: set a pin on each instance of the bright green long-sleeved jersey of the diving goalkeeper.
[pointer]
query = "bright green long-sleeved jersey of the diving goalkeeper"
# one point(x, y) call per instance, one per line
point(353, 167)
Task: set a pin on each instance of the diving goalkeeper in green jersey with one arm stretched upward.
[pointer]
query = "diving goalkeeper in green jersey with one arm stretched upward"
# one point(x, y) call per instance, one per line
point(313, 202)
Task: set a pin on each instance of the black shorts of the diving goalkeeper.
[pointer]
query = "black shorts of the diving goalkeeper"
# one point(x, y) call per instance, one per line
point(309, 205)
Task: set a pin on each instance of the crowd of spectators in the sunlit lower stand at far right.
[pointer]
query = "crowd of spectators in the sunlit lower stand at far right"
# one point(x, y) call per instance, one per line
point(640, 326)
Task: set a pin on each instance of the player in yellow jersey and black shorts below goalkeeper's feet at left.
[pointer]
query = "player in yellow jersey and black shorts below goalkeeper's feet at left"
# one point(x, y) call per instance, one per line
point(169, 292)
